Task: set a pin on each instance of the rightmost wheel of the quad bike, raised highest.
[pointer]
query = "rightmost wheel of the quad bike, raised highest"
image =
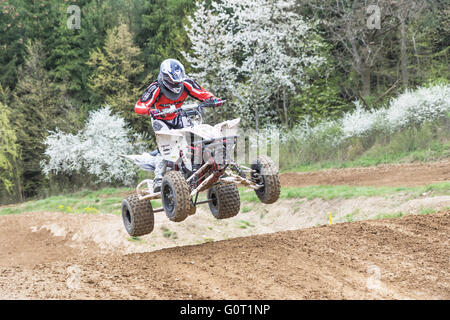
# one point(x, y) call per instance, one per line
point(267, 176)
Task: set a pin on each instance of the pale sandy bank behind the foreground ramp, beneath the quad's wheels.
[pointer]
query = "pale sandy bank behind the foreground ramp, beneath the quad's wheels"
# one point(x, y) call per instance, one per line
point(33, 238)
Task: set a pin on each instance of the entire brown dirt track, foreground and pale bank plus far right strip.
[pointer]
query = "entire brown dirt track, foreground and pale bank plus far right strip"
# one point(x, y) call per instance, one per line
point(73, 256)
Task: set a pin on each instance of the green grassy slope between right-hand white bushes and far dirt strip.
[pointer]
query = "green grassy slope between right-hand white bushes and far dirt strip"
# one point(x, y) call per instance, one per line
point(430, 142)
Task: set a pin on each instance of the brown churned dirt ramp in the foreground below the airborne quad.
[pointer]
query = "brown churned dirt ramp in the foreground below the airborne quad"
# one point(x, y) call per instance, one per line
point(393, 259)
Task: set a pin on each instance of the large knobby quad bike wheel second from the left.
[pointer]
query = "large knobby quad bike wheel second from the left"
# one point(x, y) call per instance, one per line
point(176, 196)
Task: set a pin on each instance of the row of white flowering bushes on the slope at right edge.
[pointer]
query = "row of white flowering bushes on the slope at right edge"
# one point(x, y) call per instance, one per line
point(328, 137)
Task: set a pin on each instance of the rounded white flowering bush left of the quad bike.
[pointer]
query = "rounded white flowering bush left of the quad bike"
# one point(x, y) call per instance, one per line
point(94, 150)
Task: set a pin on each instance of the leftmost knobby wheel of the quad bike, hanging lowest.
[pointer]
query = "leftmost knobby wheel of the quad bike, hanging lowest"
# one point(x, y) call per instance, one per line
point(137, 216)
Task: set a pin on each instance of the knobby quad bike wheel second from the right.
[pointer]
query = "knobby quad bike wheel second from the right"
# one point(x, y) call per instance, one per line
point(226, 201)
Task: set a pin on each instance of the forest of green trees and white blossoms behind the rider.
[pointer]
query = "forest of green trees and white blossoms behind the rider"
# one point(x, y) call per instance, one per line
point(72, 70)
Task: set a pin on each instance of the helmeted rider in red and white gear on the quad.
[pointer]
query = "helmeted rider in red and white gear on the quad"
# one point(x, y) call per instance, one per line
point(170, 90)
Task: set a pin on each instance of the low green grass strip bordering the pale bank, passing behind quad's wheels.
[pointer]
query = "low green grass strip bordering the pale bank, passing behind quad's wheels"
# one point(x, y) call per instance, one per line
point(109, 200)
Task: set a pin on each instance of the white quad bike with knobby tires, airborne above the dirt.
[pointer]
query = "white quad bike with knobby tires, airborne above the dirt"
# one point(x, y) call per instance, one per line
point(198, 158)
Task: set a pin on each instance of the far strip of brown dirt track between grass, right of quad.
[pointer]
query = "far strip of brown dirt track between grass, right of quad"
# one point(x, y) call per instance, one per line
point(402, 175)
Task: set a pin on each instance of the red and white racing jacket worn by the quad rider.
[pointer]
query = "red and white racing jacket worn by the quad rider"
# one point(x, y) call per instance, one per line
point(154, 98)
